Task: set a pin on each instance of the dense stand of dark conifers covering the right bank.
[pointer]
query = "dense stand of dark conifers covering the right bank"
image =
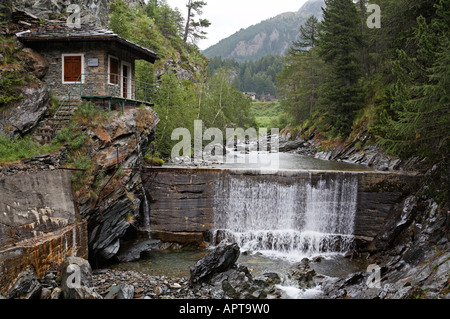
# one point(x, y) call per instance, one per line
point(341, 73)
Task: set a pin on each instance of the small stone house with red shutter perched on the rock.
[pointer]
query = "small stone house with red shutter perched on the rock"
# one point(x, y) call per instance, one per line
point(89, 62)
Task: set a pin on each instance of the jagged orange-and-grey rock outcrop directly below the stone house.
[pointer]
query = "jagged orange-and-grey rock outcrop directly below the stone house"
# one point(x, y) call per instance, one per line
point(110, 198)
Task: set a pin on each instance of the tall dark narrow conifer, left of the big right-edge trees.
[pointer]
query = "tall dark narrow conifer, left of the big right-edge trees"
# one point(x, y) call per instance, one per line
point(339, 44)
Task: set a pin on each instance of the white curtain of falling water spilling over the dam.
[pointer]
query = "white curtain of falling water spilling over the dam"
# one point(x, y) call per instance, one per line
point(288, 216)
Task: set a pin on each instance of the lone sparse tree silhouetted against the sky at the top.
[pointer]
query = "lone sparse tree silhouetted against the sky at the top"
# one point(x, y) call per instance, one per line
point(194, 28)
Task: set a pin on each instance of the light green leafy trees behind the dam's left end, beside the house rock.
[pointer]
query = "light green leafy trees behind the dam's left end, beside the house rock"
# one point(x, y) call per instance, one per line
point(216, 102)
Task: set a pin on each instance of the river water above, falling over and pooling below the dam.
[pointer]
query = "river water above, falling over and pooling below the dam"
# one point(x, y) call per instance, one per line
point(278, 225)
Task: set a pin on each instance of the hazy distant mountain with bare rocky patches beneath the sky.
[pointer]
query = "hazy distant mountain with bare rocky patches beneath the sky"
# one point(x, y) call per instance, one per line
point(271, 36)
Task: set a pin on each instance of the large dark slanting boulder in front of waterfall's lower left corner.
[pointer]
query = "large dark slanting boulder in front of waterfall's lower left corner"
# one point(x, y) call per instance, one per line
point(219, 260)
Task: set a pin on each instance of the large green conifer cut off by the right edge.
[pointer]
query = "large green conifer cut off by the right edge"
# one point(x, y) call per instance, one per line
point(420, 97)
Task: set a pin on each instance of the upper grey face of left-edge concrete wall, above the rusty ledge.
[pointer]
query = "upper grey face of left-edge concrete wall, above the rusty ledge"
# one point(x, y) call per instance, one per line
point(33, 205)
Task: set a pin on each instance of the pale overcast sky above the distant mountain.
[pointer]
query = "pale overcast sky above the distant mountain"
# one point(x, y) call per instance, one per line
point(229, 16)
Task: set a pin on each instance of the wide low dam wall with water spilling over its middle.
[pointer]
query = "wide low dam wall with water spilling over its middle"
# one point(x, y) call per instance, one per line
point(286, 211)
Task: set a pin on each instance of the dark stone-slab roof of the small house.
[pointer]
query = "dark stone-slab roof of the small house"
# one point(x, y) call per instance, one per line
point(61, 32)
